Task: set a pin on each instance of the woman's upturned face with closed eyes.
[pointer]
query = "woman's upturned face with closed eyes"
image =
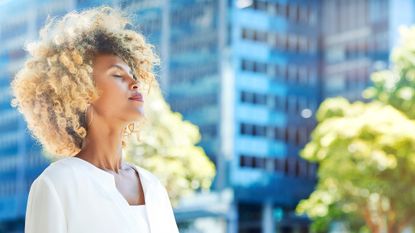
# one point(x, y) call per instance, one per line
point(120, 99)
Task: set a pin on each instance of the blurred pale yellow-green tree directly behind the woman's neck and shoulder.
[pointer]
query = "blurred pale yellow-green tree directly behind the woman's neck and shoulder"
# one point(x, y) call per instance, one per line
point(167, 147)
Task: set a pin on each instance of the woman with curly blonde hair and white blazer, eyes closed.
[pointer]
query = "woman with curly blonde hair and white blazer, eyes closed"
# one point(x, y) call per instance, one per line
point(81, 93)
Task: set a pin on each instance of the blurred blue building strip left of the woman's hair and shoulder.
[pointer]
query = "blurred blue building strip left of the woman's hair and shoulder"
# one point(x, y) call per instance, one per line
point(20, 160)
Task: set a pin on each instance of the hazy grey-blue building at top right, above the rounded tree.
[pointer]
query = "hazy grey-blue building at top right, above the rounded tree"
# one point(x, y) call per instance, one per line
point(357, 37)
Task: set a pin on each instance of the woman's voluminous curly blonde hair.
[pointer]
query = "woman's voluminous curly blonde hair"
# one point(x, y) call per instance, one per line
point(55, 87)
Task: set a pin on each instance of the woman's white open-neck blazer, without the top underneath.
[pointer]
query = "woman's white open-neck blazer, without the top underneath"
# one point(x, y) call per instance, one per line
point(74, 196)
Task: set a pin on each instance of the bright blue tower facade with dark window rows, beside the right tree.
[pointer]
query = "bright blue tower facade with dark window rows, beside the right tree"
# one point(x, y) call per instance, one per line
point(273, 69)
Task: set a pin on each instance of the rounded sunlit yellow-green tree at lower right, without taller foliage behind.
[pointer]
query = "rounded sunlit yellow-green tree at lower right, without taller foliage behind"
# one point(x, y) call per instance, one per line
point(366, 156)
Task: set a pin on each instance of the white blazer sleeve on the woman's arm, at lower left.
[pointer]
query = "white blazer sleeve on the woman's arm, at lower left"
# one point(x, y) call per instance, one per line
point(44, 212)
